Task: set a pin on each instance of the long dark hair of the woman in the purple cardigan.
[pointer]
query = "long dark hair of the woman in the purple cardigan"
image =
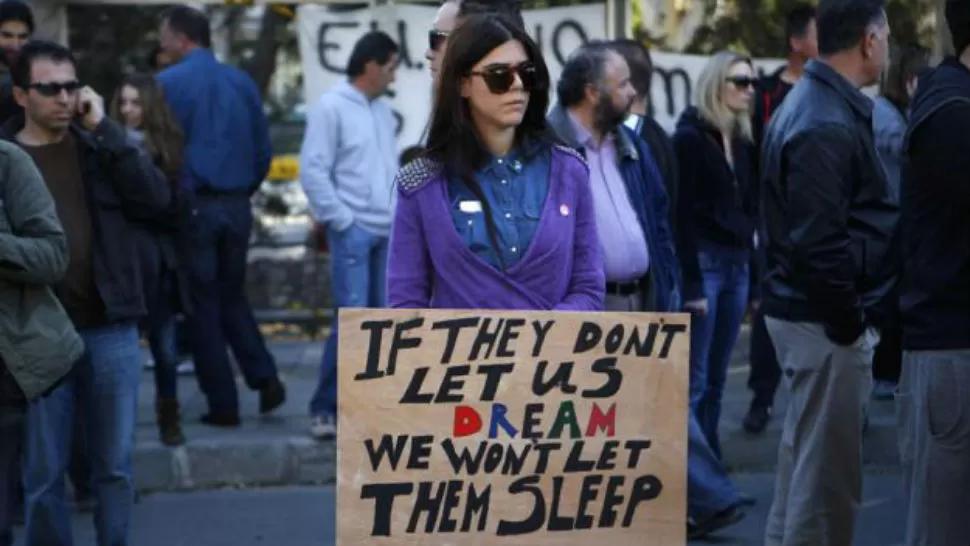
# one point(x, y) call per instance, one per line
point(453, 138)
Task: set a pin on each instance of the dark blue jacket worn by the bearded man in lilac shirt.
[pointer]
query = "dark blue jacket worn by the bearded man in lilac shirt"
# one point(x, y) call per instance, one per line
point(645, 187)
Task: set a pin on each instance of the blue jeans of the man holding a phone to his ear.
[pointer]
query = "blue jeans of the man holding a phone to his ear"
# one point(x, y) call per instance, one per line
point(103, 387)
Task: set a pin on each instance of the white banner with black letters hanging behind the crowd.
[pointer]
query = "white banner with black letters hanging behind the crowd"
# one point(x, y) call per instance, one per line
point(326, 39)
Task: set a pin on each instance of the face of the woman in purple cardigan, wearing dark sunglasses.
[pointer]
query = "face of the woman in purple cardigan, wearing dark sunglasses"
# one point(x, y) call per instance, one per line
point(497, 89)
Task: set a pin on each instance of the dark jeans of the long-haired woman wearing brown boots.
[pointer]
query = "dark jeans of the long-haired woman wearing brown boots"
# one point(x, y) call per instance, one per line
point(160, 327)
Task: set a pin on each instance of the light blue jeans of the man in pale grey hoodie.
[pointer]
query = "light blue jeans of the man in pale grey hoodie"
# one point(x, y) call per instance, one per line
point(358, 261)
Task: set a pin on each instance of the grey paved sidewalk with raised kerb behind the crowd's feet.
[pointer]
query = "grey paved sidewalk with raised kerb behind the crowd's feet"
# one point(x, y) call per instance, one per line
point(277, 450)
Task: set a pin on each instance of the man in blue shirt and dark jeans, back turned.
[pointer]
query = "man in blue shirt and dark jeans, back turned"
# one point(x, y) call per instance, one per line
point(227, 156)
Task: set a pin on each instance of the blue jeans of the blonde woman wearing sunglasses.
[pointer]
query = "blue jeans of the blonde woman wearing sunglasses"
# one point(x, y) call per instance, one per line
point(714, 335)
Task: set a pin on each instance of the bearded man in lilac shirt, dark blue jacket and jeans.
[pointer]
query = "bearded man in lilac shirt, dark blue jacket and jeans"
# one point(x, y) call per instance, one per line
point(595, 95)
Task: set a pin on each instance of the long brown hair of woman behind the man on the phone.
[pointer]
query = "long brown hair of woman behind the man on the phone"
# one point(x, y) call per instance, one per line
point(163, 136)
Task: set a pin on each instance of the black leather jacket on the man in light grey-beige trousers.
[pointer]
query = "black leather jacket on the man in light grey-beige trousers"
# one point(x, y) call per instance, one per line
point(829, 214)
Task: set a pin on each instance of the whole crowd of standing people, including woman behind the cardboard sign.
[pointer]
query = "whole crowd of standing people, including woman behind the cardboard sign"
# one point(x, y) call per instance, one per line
point(837, 222)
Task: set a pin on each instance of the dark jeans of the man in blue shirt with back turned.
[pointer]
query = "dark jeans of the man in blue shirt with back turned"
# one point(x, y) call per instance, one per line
point(218, 243)
